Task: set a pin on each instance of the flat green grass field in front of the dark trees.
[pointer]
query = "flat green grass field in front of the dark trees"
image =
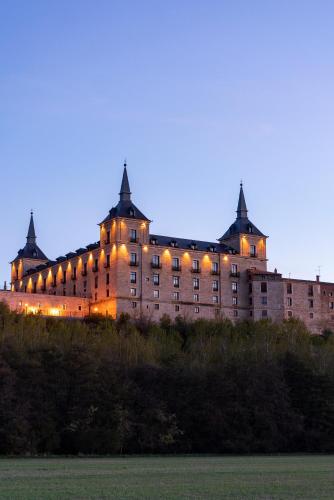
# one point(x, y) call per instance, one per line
point(254, 477)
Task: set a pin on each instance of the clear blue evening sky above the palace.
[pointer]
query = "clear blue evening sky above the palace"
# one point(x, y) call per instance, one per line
point(196, 95)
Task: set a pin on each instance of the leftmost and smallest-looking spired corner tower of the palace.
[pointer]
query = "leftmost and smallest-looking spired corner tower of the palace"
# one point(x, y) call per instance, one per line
point(29, 256)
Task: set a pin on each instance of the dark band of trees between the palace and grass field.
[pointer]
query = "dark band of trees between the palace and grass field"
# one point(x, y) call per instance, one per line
point(100, 386)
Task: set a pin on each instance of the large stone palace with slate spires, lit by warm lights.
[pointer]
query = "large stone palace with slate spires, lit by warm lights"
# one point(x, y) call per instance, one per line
point(130, 270)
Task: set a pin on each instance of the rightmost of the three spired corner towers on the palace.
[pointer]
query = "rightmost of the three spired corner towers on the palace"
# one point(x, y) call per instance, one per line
point(243, 235)
